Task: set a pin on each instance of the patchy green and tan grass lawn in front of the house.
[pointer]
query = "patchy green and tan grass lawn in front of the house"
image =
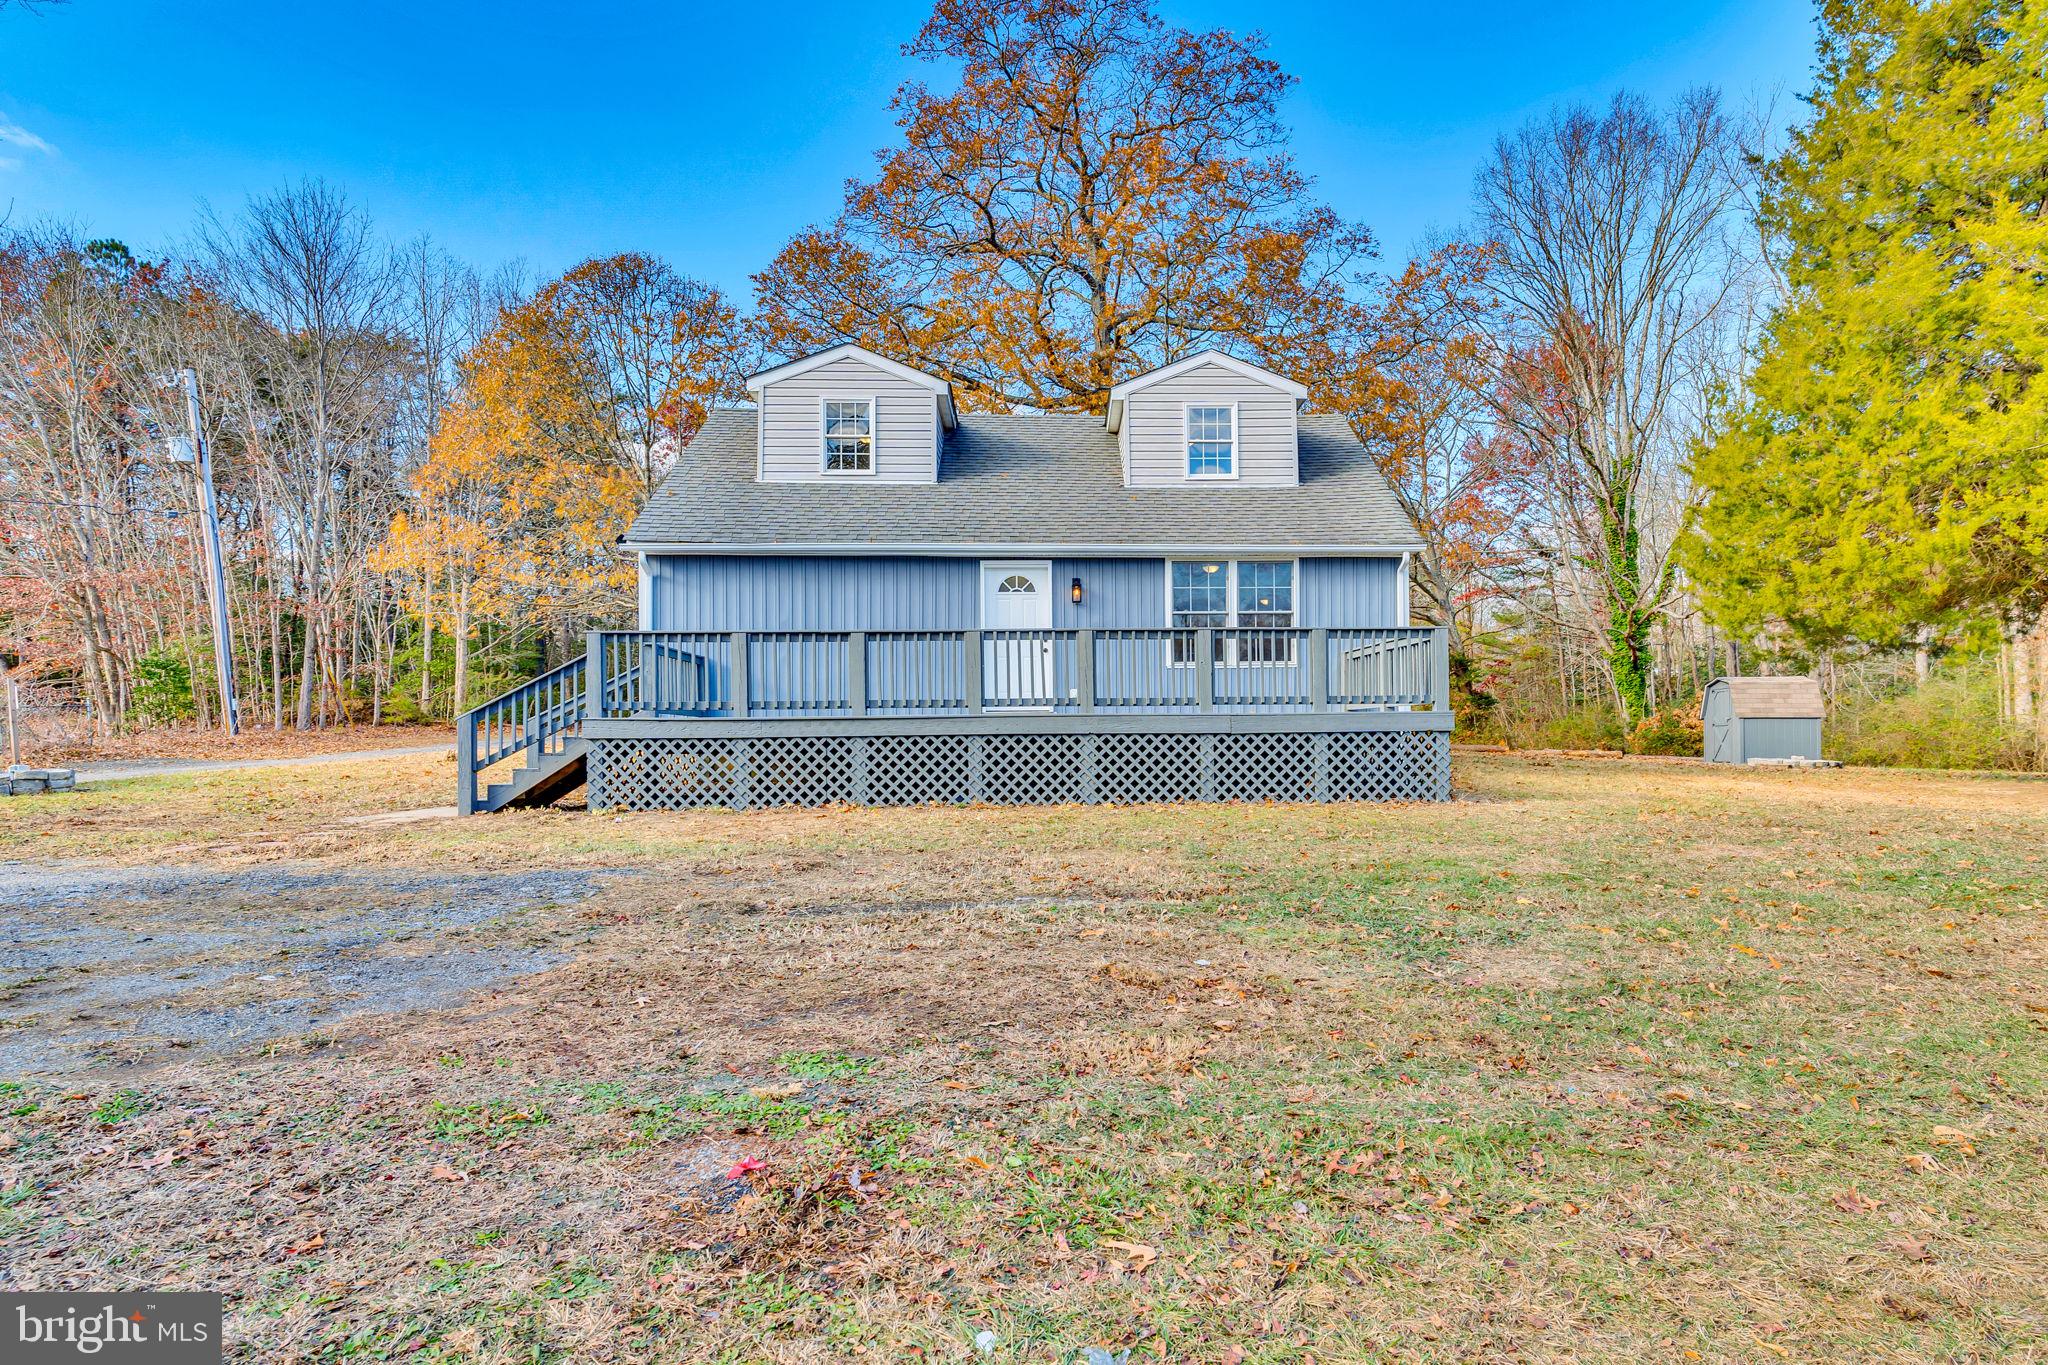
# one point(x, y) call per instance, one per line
point(1609, 1061)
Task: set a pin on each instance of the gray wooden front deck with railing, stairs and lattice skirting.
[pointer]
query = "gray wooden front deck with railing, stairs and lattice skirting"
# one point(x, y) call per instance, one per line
point(667, 719)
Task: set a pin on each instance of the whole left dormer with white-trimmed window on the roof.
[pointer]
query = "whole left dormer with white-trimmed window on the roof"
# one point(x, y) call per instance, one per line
point(851, 416)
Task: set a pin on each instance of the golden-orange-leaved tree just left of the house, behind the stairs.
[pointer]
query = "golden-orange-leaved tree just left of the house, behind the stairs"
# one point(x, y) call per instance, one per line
point(568, 414)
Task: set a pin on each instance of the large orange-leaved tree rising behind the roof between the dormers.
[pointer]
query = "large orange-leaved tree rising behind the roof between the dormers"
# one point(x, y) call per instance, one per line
point(1099, 193)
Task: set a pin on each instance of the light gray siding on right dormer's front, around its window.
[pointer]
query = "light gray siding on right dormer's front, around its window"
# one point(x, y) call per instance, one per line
point(1154, 431)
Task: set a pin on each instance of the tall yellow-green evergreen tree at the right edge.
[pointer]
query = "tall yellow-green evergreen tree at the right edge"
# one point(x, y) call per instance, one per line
point(1889, 466)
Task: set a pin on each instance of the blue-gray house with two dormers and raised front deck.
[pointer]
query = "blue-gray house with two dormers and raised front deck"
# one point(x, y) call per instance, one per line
point(855, 592)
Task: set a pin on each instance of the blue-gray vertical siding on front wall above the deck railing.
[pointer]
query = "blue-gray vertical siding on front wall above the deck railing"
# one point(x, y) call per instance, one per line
point(798, 592)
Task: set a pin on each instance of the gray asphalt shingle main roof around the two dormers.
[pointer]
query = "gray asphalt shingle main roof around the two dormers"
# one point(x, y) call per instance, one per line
point(1025, 482)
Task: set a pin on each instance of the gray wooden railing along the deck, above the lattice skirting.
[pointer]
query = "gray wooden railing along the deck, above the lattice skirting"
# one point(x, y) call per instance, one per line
point(822, 674)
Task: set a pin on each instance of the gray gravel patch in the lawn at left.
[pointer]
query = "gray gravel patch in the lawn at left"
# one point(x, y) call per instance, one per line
point(128, 967)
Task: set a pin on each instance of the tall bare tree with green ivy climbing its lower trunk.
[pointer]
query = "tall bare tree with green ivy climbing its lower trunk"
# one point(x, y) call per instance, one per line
point(1615, 271)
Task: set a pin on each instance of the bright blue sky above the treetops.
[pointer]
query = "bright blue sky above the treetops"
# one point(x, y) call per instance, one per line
point(708, 134)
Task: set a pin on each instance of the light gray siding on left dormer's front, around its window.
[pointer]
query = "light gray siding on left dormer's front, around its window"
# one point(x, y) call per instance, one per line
point(792, 439)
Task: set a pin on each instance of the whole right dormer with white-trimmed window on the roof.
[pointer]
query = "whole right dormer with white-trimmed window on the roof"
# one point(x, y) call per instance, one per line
point(1209, 419)
